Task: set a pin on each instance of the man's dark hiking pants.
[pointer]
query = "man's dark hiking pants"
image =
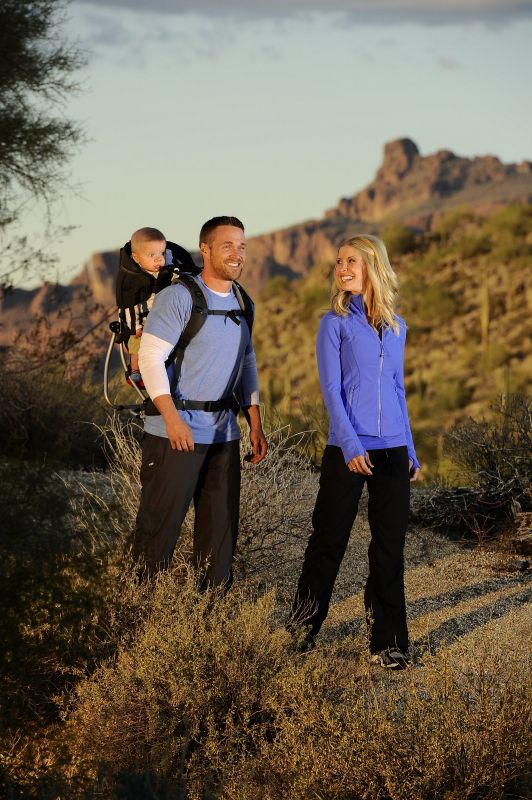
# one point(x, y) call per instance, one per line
point(171, 479)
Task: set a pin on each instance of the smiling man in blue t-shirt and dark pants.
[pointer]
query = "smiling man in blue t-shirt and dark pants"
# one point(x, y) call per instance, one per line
point(190, 449)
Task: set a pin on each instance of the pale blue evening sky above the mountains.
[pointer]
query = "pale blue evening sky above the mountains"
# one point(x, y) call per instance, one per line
point(272, 110)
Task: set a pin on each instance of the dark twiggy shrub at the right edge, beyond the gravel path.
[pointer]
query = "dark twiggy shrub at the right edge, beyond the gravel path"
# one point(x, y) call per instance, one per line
point(495, 458)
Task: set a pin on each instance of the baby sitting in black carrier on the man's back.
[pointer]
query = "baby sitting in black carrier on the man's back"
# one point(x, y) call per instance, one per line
point(147, 265)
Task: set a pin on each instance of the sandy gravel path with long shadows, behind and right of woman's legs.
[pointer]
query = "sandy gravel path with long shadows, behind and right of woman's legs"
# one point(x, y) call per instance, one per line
point(458, 595)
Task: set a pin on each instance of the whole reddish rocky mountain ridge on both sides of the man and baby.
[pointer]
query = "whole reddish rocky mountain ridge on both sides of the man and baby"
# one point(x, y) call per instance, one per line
point(408, 188)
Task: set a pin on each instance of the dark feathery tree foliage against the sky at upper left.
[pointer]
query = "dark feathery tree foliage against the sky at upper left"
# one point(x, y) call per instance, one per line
point(36, 77)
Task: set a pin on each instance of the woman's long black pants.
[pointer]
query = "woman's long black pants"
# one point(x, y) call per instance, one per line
point(334, 514)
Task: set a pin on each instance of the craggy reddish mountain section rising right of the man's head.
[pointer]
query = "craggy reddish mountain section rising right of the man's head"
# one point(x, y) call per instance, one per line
point(408, 188)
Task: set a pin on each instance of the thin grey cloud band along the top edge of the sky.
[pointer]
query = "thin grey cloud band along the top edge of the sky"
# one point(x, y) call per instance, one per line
point(393, 11)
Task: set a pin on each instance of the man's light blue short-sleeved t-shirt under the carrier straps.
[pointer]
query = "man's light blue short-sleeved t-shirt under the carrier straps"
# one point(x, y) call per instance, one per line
point(219, 359)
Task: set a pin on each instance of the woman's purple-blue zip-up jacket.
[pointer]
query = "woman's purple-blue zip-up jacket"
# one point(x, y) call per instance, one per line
point(362, 382)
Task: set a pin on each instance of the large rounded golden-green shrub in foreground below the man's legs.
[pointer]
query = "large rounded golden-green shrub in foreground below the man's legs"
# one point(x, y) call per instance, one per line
point(192, 680)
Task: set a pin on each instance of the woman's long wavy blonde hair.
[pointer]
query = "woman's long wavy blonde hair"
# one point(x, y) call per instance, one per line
point(381, 293)
